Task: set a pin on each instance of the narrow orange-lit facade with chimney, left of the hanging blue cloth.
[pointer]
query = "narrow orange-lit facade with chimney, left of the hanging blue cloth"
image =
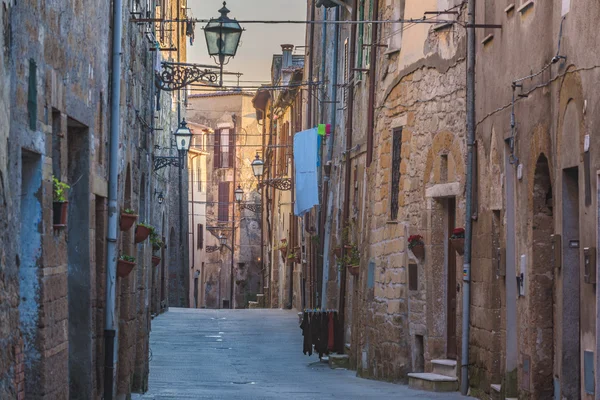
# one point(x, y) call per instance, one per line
point(279, 108)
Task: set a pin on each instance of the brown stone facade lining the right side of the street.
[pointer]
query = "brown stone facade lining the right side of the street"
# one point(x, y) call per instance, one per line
point(395, 165)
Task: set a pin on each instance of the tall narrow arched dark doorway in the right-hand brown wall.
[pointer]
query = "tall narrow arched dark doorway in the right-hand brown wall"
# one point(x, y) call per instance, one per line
point(541, 285)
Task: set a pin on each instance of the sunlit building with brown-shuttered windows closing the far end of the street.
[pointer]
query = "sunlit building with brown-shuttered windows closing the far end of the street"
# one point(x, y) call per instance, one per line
point(233, 140)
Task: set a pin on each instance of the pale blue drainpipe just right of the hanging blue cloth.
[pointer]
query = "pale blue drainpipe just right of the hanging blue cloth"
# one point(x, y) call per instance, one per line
point(333, 119)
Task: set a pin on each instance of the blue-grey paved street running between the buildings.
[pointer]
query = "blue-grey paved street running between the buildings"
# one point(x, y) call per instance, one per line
point(249, 354)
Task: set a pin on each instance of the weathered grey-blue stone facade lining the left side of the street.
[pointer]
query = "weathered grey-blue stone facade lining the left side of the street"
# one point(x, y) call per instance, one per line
point(56, 63)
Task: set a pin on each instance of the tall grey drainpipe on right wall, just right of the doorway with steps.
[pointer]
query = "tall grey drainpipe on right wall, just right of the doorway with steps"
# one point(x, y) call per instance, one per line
point(464, 381)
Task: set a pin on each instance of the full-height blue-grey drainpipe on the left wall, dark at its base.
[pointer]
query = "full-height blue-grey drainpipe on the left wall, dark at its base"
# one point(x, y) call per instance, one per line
point(110, 323)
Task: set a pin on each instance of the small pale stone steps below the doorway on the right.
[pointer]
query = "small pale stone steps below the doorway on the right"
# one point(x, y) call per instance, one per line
point(443, 378)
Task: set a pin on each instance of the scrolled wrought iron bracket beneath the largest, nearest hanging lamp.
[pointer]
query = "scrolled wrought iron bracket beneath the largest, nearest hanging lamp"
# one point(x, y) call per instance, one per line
point(175, 76)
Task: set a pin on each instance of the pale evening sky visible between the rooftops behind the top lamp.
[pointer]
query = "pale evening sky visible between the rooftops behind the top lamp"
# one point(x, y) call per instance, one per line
point(259, 41)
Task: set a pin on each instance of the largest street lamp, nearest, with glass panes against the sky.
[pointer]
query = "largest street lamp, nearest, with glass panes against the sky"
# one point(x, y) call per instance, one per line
point(223, 36)
